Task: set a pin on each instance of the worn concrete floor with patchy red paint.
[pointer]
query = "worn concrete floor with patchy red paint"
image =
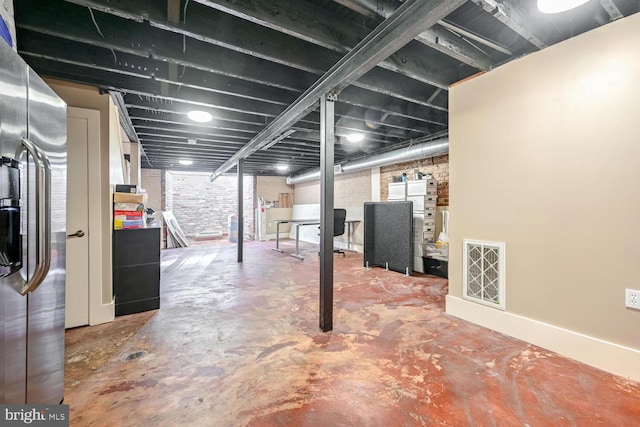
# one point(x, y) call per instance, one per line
point(239, 345)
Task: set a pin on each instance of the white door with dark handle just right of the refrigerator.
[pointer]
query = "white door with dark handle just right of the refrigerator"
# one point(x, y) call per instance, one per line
point(80, 124)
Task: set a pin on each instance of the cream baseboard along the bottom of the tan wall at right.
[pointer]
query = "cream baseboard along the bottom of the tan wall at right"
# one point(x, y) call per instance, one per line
point(610, 357)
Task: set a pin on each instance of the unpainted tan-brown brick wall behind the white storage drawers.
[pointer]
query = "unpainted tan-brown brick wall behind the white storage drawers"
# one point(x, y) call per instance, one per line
point(437, 166)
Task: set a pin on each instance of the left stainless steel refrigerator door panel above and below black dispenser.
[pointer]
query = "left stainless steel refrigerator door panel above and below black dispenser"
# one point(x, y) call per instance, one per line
point(13, 306)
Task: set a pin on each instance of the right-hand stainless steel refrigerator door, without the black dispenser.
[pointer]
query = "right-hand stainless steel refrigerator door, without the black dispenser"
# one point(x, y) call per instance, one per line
point(45, 334)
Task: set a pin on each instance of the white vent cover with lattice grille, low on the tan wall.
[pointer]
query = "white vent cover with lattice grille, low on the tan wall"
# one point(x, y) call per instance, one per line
point(483, 275)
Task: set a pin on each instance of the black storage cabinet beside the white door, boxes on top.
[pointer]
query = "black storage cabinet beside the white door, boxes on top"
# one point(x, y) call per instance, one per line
point(136, 270)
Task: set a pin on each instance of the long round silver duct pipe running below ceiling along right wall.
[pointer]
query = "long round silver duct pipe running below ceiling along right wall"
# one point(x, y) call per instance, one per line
point(414, 152)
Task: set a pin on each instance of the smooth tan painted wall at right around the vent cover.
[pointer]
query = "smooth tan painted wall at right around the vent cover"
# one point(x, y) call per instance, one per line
point(544, 156)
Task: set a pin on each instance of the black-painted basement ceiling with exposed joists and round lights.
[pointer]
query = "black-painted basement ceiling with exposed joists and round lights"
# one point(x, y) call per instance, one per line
point(246, 61)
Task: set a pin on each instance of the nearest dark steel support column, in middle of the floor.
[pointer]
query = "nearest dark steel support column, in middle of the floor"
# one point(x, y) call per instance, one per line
point(327, 140)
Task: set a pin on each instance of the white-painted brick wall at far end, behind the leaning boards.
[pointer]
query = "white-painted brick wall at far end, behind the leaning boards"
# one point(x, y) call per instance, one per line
point(200, 205)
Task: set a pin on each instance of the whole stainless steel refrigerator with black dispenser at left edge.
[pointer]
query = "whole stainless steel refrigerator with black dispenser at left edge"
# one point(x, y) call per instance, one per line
point(32, 235)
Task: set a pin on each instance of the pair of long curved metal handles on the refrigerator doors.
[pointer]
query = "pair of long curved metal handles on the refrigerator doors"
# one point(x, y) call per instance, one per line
point(43, 216)
